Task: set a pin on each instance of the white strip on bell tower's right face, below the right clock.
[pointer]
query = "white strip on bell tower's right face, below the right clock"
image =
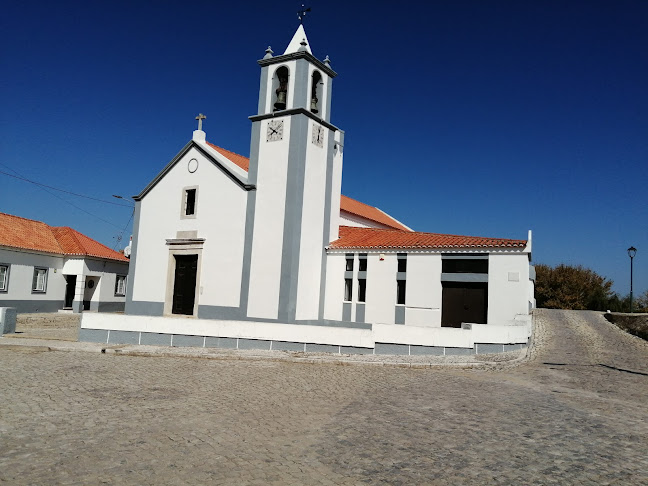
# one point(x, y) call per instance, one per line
point(312, 229)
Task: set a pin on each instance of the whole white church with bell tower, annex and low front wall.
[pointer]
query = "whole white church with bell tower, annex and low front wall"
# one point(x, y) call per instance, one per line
point(265, 252)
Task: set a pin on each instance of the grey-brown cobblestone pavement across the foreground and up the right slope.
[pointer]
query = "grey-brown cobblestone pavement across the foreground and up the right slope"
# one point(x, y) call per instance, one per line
point(573, 413)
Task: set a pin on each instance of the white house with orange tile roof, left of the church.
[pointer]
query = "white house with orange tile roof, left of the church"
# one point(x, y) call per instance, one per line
point(47, 269)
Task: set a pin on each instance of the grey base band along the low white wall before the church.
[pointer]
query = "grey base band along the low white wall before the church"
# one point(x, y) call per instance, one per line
point(182, 340)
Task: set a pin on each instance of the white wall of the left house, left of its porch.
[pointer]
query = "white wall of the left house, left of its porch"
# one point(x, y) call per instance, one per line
point(21, 273)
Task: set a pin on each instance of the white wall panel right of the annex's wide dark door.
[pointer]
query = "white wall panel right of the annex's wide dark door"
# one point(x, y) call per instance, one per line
point(508, 287)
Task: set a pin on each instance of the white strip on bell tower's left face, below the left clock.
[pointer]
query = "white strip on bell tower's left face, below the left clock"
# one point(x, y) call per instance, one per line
point(267, 240)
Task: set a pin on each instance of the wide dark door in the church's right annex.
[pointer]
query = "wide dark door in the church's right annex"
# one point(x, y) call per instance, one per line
point(464, 302)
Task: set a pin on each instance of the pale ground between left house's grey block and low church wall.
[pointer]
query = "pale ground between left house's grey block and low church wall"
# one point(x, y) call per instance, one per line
point(60, 326)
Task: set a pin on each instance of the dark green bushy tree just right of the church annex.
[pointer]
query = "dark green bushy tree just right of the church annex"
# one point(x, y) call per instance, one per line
point(569, 287)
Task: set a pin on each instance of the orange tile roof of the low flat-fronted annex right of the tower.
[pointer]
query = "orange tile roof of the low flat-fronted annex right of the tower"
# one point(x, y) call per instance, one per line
point(372, 238)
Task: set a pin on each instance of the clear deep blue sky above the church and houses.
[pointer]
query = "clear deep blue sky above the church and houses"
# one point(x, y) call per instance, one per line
point(484, 118)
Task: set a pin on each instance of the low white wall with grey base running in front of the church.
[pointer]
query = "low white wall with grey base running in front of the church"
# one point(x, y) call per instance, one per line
point(380, 339)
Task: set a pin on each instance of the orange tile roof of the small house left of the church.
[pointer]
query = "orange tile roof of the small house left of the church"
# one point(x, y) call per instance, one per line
point(27, 234)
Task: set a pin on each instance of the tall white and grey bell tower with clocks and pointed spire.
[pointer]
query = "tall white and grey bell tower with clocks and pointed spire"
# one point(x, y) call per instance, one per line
point(296, 166)
